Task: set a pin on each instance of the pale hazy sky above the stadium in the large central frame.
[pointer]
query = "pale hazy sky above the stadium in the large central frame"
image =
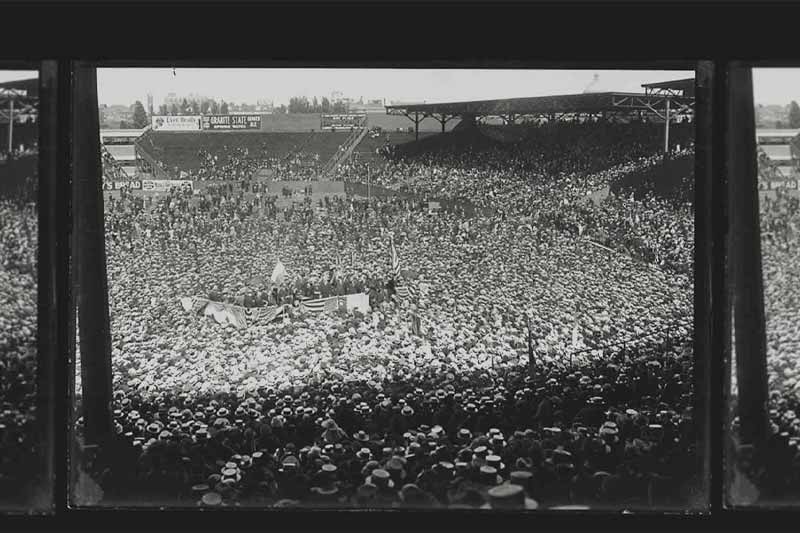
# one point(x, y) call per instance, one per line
point(124, 86)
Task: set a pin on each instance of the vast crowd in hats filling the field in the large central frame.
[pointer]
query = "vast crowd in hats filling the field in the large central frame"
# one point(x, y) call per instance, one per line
point(544, 369)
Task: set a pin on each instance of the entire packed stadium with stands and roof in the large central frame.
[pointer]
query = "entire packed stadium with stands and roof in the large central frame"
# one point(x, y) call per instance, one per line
point(484, 304)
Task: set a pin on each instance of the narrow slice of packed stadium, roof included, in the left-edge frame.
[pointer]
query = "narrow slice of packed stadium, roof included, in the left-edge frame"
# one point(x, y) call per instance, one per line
point(19, 457)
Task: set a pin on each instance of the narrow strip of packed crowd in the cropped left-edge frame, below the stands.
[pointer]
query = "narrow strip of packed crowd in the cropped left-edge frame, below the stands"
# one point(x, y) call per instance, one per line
point(18, 348)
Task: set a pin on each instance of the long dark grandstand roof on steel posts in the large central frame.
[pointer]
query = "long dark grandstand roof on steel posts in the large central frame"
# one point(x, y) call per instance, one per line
point(542, 105)
